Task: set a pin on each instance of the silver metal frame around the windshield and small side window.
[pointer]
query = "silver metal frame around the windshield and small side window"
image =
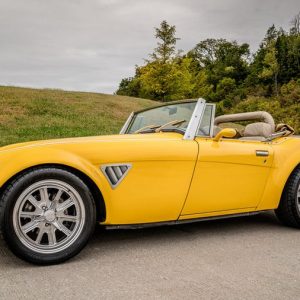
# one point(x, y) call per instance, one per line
point(194, 123)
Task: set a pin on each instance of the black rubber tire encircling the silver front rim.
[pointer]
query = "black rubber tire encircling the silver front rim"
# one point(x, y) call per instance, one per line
point(8, 202)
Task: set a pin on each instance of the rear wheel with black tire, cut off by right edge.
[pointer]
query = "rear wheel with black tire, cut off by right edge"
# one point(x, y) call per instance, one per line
point(288, 211)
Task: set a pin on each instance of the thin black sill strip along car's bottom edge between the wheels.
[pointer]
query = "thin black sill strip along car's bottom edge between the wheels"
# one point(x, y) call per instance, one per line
point(178, 222)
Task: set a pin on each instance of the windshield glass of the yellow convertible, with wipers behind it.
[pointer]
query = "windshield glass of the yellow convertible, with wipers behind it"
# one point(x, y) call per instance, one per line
point(159, 116)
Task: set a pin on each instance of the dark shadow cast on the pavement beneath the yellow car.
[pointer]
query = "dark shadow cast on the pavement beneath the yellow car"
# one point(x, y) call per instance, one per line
point(104, 242)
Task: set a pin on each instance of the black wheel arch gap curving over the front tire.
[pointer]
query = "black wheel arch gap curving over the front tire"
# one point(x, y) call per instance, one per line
point(93, 187)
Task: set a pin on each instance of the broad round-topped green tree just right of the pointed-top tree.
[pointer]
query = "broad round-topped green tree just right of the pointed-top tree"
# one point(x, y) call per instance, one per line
point(225, 65)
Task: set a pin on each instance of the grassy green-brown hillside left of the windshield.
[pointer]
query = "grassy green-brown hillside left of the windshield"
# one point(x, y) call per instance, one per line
point(33, 114)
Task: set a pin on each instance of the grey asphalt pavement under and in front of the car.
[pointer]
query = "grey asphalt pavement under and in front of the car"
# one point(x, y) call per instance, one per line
point(242, 258)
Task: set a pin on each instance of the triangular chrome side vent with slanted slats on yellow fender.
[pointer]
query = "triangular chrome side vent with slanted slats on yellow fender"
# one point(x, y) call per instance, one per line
point(115, 173)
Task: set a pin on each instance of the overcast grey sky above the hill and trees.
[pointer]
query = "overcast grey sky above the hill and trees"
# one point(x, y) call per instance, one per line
point(91, 45)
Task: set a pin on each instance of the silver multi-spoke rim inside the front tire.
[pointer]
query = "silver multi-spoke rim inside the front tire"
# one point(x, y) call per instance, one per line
point(49, 216)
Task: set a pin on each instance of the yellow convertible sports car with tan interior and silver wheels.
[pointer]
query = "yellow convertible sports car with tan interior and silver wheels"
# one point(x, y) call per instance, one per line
point(170, 164)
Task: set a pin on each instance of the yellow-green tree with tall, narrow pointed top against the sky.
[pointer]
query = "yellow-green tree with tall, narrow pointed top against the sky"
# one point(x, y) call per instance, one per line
point(166, 75)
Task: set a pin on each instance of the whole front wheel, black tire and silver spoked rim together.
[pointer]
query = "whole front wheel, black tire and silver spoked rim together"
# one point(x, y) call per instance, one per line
point(48, 215)
